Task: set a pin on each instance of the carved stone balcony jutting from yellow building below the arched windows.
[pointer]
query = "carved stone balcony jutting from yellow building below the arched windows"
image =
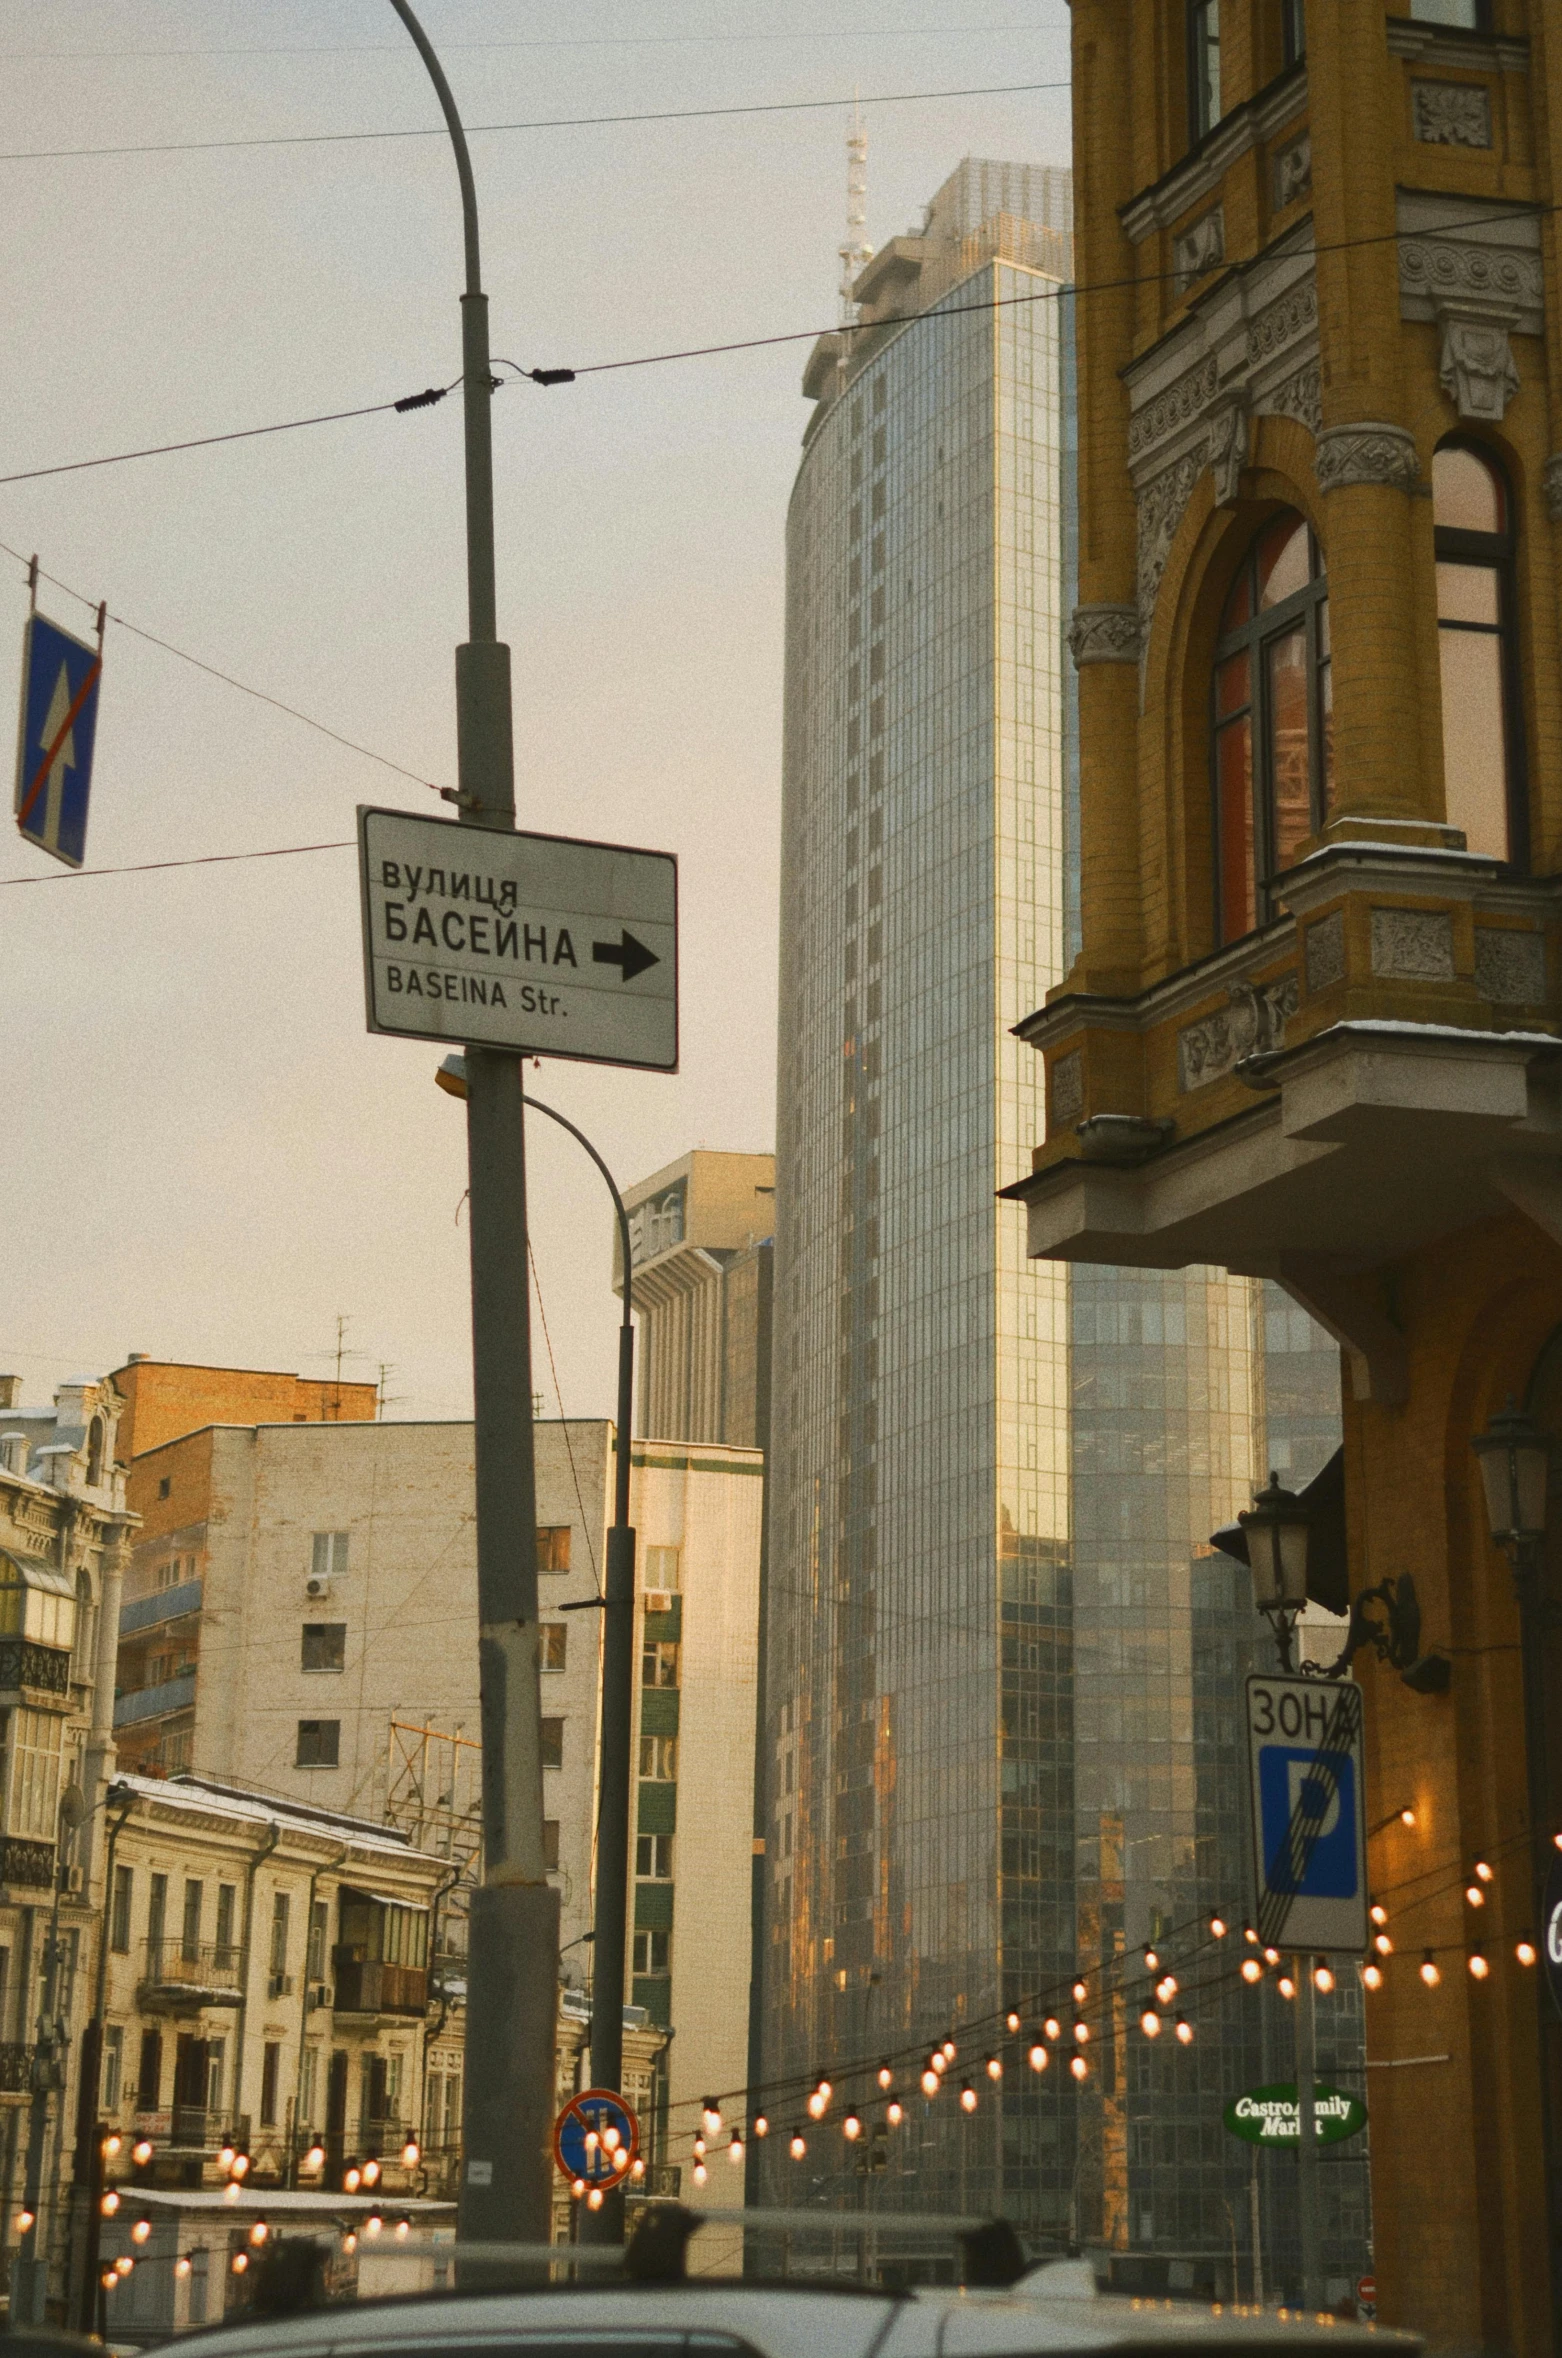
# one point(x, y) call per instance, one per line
point(1264, 1107)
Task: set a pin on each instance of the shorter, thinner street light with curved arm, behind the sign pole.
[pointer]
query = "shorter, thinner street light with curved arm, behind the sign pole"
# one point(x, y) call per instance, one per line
point(610, 1916)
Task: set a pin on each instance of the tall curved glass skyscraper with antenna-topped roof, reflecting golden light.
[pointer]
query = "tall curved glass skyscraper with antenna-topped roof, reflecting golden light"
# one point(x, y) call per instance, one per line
point(1004, 1666)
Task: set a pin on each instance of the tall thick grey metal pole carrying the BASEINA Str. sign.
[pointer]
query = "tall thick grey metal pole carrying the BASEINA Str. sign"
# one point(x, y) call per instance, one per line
point(513, 1977)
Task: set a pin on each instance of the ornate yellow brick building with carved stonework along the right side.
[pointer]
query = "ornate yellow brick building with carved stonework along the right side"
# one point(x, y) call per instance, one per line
point(1313, 1027)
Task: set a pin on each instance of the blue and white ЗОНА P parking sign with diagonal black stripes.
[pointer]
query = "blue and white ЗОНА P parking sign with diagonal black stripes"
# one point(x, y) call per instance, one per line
point(1308, 1812)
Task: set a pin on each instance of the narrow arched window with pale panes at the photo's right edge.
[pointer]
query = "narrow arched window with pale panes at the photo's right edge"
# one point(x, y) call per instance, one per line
point(1481, 737)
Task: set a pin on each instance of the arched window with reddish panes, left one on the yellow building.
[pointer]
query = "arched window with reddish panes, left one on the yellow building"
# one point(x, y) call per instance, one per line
point(1273, 720)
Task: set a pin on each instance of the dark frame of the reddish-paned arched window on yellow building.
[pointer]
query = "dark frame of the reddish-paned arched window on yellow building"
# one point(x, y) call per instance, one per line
point(1252, 638)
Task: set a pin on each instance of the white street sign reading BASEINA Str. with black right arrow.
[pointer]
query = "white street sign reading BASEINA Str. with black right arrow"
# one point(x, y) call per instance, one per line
point(525, 942)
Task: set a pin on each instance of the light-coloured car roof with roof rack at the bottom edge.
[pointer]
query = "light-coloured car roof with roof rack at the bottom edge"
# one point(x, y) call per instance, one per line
point(794, 2319)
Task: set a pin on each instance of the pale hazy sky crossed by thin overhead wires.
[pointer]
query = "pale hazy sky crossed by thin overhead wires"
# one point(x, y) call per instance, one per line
point(202, 1150)
